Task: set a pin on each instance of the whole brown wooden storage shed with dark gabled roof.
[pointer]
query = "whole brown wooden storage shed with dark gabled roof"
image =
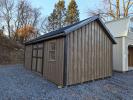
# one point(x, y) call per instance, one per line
point(73, 54)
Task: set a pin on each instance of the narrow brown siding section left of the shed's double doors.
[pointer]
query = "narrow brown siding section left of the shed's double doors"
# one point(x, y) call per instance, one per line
point(28, 56)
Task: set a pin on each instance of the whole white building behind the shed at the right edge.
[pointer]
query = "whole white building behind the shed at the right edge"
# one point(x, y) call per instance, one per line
point(122, 30)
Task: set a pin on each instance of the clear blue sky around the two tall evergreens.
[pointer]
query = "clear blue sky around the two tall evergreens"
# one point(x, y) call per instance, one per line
point(83, 6)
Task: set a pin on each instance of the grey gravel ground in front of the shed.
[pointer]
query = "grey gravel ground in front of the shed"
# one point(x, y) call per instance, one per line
point(16, 83)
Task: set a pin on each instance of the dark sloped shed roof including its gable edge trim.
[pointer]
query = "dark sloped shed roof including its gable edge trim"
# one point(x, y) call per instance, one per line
point(67, 29)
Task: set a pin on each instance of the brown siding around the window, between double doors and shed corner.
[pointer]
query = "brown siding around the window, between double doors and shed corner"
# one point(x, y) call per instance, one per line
point(53, 69)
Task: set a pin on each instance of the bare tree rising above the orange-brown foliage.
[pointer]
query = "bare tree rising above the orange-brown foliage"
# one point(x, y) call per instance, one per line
point(26, 16)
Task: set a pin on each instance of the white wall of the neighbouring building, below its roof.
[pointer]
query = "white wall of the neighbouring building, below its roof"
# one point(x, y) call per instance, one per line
point(120, 53)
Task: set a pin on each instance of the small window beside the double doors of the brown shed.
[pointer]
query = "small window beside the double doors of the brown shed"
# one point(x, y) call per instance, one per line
point(52, 51)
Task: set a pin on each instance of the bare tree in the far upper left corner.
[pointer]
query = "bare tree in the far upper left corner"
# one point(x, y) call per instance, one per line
point(6, 13)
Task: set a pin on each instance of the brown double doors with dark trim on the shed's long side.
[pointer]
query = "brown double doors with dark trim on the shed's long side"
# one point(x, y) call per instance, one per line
point(37, 58)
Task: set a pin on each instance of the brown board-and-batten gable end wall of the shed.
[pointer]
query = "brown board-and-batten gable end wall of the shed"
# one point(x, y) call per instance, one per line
point(89, 54)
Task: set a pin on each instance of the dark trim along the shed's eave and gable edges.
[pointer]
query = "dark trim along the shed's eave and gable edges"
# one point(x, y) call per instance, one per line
point(73, 28)
